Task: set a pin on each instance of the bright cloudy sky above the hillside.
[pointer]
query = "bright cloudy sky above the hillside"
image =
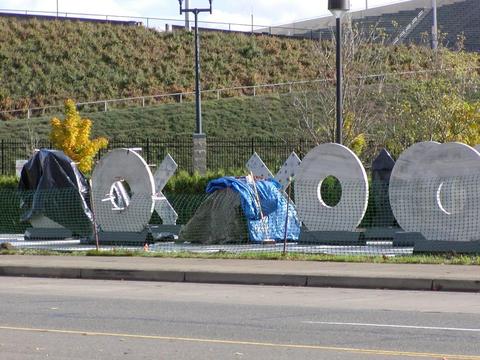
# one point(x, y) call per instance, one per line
point(265, 12)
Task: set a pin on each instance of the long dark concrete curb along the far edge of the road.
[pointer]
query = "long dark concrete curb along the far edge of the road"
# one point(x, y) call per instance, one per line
point(347, 281)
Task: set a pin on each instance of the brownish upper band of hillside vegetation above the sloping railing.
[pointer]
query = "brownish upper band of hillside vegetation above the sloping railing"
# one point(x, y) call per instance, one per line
point(45, 62)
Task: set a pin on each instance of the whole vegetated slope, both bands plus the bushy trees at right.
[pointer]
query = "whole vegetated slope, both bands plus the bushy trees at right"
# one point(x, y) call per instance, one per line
point(45, 62)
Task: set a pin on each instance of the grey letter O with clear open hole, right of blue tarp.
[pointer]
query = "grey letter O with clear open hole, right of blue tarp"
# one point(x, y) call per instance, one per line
point(338, 161)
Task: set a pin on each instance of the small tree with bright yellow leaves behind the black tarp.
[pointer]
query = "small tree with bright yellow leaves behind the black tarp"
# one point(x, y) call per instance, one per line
point(72, 136)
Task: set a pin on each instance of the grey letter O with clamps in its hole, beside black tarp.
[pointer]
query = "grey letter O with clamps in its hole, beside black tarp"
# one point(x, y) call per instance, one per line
point(127, 165)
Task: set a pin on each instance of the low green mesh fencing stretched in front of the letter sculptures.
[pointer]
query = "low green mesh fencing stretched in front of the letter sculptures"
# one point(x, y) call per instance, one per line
point(346, 218)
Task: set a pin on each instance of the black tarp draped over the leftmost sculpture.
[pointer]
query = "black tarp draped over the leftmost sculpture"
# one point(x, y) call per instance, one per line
point(51, 185)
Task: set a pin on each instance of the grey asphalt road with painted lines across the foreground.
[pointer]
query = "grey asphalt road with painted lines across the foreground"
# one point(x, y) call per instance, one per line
point(83, 319)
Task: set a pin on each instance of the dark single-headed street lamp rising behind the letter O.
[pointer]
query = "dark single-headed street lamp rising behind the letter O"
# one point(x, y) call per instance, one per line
point(338, 8)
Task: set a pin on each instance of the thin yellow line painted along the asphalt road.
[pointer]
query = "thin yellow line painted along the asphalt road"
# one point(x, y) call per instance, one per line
point(251, 343)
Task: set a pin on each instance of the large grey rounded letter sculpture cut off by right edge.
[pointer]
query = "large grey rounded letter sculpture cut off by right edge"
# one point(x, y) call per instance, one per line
point(435, 190)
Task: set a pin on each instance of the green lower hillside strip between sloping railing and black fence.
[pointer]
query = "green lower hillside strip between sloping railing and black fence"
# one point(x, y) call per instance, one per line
point(242, 116)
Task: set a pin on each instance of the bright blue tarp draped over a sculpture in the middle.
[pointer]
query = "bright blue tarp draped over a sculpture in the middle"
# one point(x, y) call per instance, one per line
point(273, 205)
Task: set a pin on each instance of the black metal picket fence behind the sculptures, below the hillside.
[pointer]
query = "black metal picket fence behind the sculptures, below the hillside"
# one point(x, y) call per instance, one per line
point(221, 153)
